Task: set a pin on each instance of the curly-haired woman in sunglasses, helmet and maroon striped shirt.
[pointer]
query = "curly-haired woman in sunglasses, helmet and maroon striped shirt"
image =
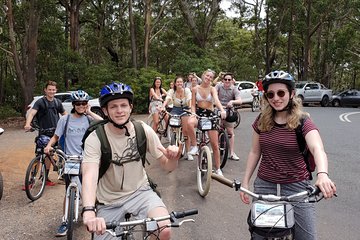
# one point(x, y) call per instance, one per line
point(282, 168)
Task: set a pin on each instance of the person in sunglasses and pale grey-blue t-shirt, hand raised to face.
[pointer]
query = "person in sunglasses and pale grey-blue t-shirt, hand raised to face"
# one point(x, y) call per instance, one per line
point(72, 127)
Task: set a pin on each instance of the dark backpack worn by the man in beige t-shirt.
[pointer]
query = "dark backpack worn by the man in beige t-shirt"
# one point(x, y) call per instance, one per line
point(106, 153)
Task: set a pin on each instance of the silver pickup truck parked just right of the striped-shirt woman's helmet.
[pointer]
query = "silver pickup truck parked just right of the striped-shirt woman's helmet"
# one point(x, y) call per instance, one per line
point(313, 92)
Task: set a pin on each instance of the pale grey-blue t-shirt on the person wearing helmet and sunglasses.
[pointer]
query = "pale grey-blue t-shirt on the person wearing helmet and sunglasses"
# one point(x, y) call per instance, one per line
point(74, 132)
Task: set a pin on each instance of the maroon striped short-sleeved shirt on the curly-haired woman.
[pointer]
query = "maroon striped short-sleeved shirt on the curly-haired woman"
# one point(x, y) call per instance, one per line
point(282, 161)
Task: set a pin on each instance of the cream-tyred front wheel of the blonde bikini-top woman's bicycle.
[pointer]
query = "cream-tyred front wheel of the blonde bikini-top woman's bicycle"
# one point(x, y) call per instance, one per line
point(204, 170)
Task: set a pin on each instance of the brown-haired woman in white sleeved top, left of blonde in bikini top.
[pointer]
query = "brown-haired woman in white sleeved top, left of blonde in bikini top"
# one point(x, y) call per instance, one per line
point(181, 99)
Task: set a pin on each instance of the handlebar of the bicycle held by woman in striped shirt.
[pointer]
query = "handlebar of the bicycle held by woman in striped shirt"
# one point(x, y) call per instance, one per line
point(312, 194)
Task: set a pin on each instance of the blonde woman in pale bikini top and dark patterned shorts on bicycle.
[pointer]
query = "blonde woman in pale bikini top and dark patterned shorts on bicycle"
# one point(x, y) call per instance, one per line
point(204, 96)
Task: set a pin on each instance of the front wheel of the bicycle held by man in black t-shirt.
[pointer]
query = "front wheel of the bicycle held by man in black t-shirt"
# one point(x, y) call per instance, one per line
point(35, 179)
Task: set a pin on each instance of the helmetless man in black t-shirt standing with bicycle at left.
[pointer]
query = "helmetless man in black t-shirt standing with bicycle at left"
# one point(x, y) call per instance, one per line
point(46, 110)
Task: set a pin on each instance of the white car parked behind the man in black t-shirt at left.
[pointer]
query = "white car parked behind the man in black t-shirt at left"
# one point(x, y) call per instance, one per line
point(65, 98)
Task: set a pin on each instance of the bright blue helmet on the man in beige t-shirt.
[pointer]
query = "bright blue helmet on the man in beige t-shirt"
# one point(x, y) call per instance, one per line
point(115, 91)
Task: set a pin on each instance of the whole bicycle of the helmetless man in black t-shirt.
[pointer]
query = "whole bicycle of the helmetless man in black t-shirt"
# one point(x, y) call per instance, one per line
point(35, 178)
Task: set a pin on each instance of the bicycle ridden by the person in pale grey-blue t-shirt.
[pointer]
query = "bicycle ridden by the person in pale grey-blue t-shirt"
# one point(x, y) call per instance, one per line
point(71, 168)
